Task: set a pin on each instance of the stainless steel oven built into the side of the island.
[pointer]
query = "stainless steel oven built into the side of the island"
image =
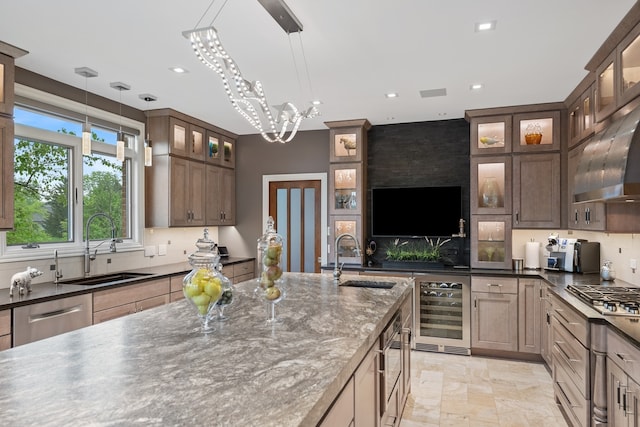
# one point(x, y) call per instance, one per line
point(390, 362)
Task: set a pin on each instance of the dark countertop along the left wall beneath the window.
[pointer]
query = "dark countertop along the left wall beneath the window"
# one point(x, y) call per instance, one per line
point(48, 291)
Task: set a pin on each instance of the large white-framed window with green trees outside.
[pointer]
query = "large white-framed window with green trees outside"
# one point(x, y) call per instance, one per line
point(57, 189)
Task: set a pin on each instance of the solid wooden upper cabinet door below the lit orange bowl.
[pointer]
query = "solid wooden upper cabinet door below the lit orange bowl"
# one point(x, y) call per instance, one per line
point(536, 191)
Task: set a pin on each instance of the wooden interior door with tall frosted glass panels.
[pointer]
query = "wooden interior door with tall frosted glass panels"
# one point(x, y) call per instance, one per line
point(295, 208)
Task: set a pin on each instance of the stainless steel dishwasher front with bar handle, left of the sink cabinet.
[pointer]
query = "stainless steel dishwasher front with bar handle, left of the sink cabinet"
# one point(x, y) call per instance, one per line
point(45, 319)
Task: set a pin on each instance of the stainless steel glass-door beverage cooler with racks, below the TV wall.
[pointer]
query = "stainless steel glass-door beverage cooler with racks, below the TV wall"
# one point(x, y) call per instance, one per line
point(443, 313)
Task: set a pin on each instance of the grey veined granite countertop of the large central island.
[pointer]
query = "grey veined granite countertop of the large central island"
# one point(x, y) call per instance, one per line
point(154, 368)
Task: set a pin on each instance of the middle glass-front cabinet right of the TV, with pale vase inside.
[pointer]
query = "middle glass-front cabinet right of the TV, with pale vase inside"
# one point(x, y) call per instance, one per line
point(491, 185)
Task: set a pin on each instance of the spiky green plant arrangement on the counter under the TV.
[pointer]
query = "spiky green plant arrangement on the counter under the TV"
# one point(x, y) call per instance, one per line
point(425, 251)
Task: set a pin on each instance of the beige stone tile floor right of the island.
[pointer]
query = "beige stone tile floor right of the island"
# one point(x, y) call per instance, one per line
point(461, 391)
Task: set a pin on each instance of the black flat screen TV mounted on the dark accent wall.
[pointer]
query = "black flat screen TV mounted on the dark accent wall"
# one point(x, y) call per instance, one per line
point(416, 211)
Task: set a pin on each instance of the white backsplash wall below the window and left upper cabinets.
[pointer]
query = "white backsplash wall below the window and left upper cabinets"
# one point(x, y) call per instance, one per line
point(180, 243)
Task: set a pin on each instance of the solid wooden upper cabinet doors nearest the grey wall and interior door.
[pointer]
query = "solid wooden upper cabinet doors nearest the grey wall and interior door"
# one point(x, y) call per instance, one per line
point(220, 196)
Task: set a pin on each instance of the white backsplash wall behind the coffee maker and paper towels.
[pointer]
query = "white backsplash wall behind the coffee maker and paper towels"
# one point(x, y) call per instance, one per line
point(618, 248)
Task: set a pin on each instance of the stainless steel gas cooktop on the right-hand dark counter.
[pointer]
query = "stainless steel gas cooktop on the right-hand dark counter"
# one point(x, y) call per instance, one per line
point(609, 300)
